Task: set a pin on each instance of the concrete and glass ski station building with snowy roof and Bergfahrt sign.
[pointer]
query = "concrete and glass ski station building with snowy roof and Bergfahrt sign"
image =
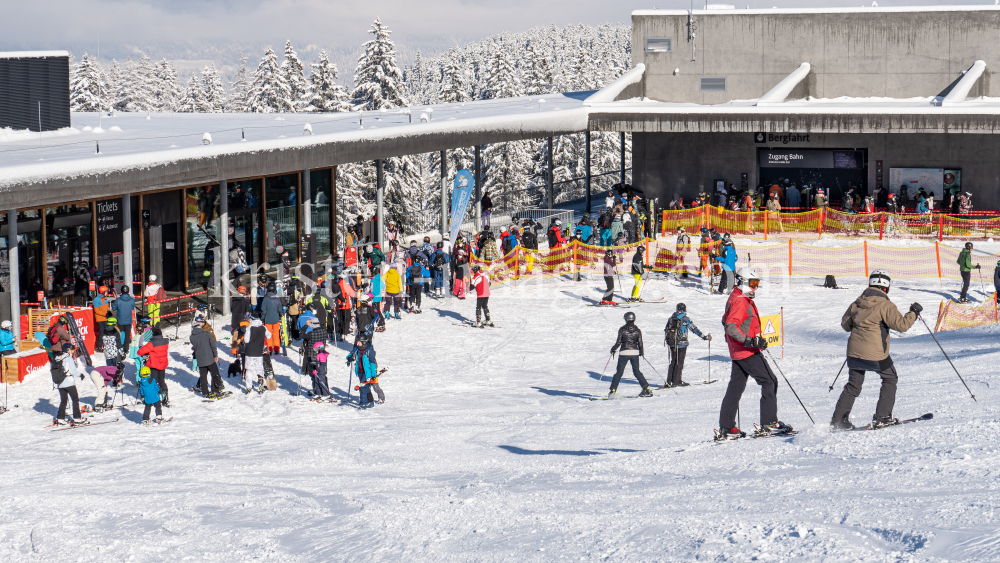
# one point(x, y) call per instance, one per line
point(863, 97)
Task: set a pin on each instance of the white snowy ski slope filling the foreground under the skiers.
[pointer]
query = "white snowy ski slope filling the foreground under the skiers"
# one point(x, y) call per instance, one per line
point(489, 449)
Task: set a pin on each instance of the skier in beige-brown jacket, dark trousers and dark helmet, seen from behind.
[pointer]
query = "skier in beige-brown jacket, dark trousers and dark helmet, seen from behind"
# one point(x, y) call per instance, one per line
point(869, 320)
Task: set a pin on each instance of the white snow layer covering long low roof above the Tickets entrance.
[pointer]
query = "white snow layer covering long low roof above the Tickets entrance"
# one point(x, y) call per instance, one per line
point(130, 141)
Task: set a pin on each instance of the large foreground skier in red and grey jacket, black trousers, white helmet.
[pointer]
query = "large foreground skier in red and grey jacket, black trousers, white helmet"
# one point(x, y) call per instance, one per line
point(742, 322)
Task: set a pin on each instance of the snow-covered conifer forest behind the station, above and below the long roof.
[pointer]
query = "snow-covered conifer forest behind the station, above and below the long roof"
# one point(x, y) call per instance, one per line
point(541, 60)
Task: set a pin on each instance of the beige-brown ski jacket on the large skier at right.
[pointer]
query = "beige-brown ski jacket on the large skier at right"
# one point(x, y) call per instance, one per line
point(868, 320)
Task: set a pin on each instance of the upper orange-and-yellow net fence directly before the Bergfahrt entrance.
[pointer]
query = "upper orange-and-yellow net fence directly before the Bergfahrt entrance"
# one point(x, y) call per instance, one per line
point(830, 221)
